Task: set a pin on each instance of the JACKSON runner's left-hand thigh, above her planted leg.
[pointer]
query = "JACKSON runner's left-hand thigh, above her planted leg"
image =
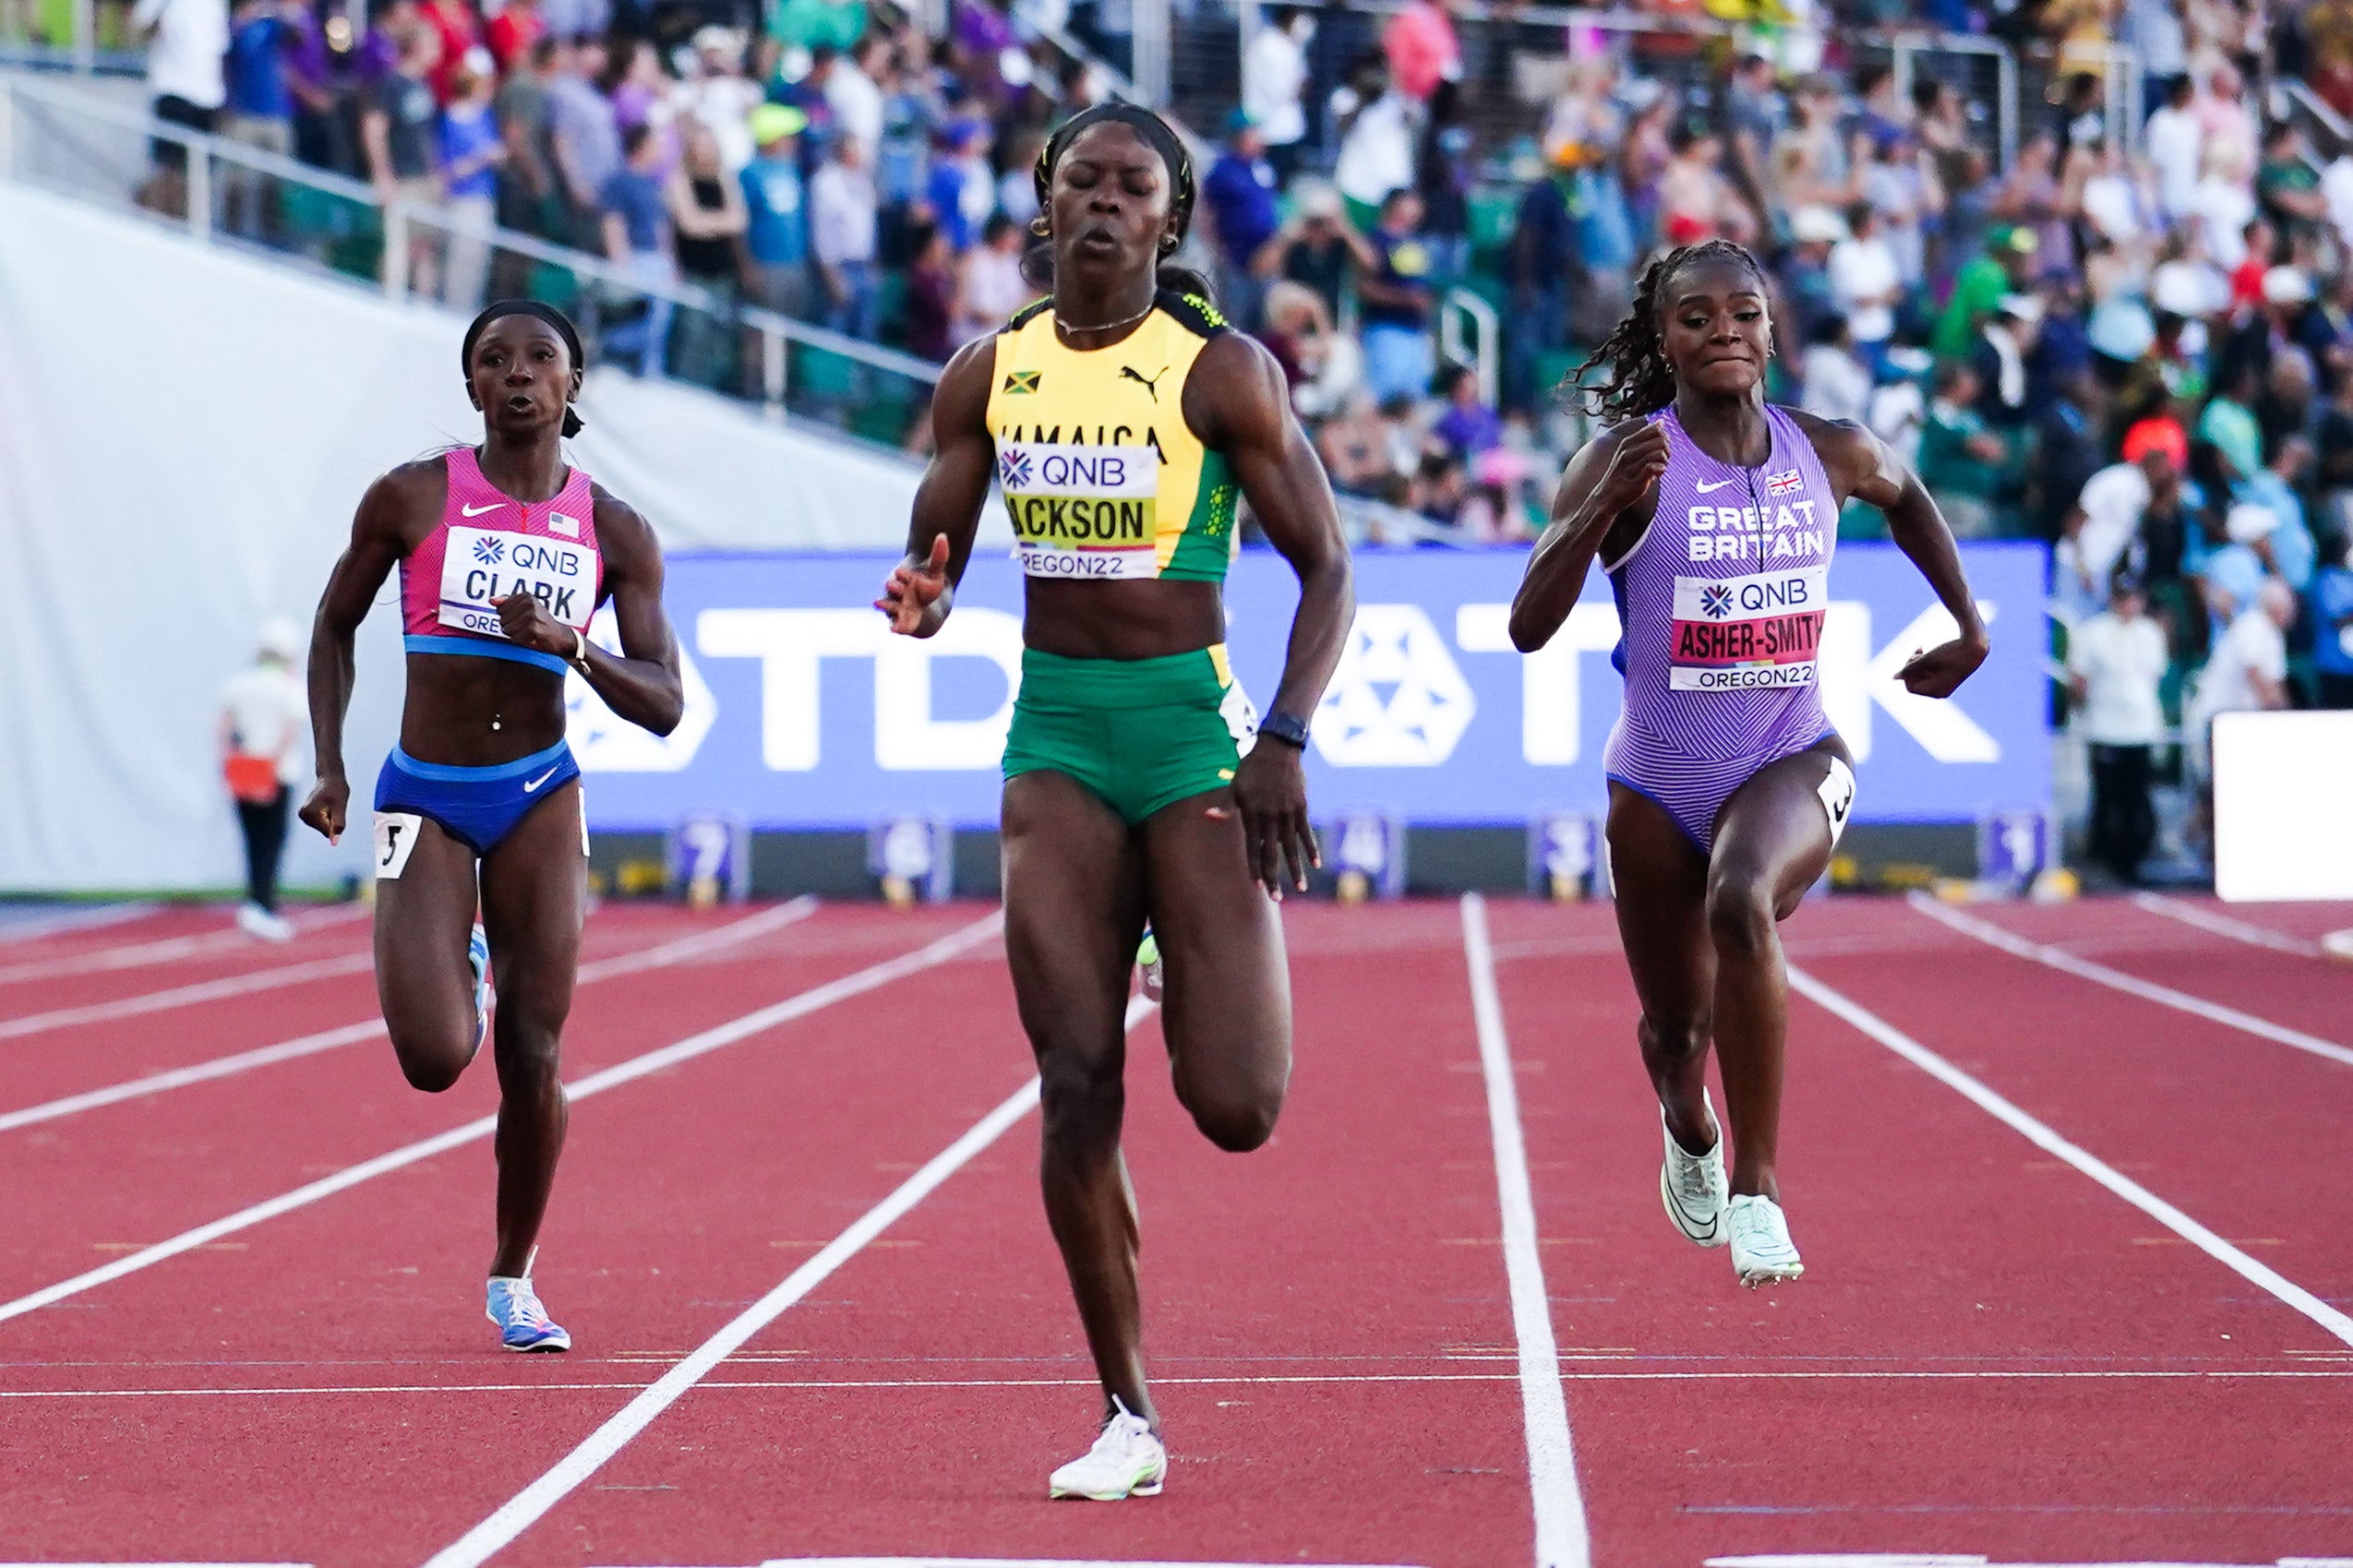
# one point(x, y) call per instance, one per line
point(1074, 913)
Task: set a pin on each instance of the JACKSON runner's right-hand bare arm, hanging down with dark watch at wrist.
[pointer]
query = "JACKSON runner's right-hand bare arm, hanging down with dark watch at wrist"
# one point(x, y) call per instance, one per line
point(1241, 406)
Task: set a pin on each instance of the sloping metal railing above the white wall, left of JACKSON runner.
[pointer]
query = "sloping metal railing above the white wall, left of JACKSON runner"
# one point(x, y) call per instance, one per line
point(229, 194)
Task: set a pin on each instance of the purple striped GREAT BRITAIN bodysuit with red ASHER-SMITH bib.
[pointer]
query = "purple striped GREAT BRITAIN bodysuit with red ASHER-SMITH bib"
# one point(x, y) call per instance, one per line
point(1721, 608)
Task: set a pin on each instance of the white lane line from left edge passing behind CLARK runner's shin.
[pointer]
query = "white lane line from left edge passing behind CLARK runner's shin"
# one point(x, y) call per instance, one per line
point(596, 1083)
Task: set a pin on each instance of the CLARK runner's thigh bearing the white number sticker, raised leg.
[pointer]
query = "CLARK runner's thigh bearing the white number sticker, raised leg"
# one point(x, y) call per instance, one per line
point(425, 920)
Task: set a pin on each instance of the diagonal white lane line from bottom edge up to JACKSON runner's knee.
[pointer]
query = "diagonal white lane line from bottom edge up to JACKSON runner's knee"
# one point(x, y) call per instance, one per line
point(526, 1508)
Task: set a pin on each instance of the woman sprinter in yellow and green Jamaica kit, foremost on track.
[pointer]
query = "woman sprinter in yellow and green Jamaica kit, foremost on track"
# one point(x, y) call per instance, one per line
point(1121, 417)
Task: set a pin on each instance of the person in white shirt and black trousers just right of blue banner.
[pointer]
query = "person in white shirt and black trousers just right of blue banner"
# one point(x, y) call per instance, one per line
point(2114, 669)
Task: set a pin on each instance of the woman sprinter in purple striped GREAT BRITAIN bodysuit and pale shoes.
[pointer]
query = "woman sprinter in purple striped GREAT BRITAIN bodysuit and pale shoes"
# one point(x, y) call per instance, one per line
point(1728, 789)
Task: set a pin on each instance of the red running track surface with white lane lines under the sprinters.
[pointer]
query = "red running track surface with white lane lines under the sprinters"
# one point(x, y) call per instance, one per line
point(2077, 1257)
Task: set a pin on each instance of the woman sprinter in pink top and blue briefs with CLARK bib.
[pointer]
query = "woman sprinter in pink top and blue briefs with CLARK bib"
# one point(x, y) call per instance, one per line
point(505, 554)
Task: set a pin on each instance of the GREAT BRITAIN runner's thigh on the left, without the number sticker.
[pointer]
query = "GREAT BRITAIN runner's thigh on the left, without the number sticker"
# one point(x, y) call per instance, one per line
point(1660, 885)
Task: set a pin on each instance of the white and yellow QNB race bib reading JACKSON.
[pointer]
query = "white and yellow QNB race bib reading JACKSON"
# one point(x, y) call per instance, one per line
point(1084, 511)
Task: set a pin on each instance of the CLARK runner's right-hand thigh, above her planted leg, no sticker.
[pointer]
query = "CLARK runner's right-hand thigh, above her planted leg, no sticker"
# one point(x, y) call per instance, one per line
point(535, 897)
